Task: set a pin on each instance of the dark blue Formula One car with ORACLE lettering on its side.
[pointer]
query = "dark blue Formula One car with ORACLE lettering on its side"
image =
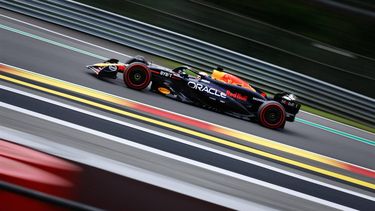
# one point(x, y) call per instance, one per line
point(218, 91)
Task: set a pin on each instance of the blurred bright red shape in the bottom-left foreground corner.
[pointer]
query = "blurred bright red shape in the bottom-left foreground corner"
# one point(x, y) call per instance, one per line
point(37, 171)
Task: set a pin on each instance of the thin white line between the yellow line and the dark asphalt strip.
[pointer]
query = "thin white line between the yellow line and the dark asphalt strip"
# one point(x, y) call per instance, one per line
point(180, 140)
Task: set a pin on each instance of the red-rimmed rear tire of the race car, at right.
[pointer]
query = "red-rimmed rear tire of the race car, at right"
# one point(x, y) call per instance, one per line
point(271, 114)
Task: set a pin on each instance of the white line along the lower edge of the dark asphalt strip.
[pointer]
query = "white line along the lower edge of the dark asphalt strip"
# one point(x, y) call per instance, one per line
point(176, 157)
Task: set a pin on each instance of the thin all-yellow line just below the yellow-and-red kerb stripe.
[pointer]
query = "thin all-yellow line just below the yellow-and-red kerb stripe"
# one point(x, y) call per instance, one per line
point(195, 133)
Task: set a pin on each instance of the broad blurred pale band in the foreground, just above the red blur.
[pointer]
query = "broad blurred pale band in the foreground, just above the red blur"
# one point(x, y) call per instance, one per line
point(130, 171)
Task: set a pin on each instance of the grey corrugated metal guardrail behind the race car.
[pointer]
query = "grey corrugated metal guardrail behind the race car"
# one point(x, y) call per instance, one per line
point(198, 54)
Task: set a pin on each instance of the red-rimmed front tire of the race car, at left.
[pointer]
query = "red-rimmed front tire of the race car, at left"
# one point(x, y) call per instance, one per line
point(137, 76)
